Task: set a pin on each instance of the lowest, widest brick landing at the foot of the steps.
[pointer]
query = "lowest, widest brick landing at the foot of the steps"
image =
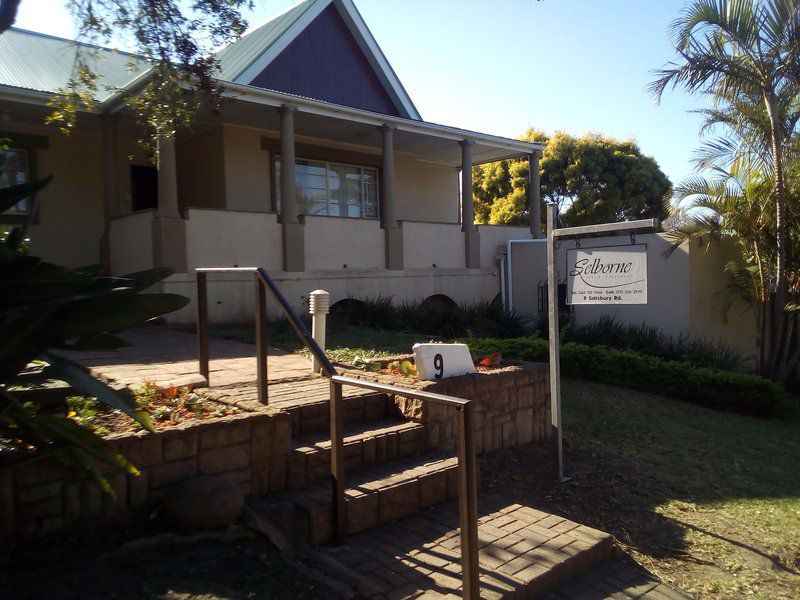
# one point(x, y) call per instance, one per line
point(524, 553)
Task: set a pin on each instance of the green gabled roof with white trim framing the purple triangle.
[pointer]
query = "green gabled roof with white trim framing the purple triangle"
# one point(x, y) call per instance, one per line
point(242, 61)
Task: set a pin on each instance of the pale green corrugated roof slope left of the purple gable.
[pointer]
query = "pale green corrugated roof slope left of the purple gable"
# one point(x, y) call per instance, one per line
point(236, 57)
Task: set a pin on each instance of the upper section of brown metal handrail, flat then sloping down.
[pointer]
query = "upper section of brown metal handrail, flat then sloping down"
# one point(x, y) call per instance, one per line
point(262, 282)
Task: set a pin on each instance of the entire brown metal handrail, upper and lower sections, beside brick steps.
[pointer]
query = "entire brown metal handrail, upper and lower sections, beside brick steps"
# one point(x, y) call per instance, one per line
point(465, 444)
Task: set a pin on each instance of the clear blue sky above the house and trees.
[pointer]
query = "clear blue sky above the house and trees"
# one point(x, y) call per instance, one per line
point(500, 66)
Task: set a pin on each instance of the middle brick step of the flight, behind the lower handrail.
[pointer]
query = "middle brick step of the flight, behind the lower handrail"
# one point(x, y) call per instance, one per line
point(365, 445)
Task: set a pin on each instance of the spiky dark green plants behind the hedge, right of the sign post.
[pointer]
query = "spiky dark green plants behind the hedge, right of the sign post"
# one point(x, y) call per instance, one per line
point(651, 340)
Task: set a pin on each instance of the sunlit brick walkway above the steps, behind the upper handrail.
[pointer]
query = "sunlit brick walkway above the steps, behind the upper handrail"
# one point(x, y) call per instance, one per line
point(169, 357)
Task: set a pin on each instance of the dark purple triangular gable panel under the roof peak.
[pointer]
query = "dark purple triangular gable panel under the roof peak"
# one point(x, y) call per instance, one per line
point(325, 63)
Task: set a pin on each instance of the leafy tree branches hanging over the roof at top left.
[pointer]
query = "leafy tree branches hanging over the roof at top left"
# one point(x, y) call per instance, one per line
point(173, 39)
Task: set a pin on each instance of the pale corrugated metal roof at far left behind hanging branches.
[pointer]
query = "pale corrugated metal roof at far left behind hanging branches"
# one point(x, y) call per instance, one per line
point(35, 61)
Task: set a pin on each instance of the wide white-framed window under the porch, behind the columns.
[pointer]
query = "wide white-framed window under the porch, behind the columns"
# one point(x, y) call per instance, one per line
point(333, 189)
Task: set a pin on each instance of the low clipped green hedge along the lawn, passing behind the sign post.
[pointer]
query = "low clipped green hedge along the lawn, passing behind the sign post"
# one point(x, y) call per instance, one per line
point(725, 390)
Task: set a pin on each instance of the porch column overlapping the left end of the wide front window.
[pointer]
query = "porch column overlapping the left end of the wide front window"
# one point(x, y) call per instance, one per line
point(293, 229)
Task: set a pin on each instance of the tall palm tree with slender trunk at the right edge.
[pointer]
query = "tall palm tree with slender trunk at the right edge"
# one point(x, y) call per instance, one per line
point(737, 51)
